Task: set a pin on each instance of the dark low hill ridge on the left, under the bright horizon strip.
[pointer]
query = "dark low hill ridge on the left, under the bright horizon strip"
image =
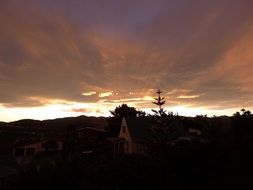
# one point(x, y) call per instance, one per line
point(62, 123)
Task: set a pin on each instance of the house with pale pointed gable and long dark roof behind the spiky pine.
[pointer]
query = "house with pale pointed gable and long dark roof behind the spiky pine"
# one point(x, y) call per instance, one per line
point(136, 132)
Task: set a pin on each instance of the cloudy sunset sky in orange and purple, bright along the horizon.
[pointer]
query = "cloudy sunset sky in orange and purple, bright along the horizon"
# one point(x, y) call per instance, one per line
point(61, 58)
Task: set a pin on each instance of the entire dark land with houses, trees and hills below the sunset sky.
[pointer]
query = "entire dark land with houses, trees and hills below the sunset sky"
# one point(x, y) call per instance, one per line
point(129, 150)
